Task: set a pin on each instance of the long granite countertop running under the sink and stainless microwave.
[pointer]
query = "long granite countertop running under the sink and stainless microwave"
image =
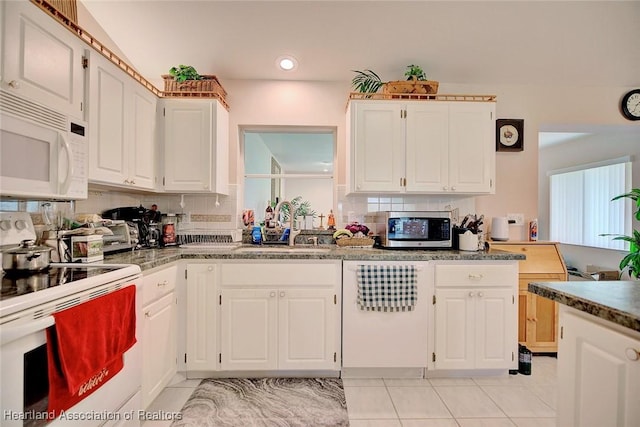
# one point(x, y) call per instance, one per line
point(150, 258)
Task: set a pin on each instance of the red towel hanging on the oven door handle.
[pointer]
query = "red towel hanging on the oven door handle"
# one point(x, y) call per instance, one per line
point(85, 347)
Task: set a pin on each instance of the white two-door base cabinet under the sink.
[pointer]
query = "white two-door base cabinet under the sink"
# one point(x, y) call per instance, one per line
point(281, 315)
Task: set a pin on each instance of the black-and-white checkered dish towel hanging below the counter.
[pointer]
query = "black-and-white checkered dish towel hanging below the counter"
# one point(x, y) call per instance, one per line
point(387, 287)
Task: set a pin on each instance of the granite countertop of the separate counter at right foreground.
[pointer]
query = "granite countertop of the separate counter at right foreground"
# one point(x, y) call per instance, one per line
point(615, 301)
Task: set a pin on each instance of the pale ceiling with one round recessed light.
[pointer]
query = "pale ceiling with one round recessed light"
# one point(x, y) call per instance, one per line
point(476, 42)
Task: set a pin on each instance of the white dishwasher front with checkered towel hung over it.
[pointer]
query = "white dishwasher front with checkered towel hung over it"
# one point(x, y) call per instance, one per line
point(378, 339)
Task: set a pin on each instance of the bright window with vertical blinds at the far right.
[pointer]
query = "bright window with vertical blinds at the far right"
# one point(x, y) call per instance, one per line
point(581, 209)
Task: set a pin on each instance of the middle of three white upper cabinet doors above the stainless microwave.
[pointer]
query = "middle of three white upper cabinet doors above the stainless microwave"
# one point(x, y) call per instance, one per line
point(427, 158)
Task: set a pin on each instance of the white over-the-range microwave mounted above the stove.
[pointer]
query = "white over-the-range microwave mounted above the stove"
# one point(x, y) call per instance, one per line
point(43, 153)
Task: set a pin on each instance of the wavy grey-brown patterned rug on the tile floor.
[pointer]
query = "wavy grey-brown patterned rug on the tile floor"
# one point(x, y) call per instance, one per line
point(266, 402)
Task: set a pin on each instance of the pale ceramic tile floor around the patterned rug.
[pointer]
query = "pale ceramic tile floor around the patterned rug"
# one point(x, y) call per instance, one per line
point(508, 401)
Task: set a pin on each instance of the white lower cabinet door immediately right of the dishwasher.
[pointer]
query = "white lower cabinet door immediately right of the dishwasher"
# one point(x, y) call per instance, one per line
point(455, 329)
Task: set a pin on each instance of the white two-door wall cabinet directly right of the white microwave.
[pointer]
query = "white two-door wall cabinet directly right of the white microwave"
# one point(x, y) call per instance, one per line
point(122, 117)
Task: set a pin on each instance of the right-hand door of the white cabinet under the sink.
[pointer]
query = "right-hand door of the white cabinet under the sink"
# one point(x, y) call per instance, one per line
point(307, 329)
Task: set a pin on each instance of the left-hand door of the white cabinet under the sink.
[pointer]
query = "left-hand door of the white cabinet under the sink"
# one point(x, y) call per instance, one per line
point(249, 320)
